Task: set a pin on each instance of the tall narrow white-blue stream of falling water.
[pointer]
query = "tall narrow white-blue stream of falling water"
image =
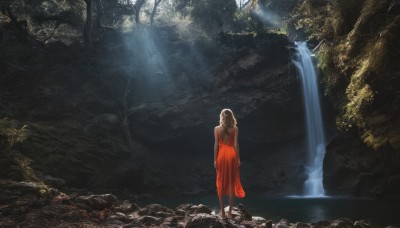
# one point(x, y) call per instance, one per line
point(315, 134)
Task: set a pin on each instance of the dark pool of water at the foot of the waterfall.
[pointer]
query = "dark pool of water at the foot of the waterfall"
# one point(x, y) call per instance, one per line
point(379, 212)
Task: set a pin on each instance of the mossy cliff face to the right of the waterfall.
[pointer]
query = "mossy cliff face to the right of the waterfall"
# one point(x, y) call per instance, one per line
point(359, 62)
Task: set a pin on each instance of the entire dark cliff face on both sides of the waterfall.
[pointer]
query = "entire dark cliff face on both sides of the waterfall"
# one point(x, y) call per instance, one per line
point(63, 105)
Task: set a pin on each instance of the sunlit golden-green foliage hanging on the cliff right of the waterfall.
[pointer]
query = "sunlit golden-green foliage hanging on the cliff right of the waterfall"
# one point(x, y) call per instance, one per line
point(361, 64)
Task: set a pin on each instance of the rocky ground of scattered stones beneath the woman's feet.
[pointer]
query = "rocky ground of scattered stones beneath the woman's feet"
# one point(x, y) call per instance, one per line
point(31, 204)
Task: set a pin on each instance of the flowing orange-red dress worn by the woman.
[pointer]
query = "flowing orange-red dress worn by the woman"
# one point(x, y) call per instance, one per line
point(227, 168)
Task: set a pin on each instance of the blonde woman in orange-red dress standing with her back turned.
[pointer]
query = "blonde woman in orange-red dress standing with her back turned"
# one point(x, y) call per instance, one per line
point(227, 160)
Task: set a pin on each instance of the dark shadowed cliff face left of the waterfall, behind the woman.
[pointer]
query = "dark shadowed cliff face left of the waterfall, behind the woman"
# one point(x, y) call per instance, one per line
point(62, 102)
